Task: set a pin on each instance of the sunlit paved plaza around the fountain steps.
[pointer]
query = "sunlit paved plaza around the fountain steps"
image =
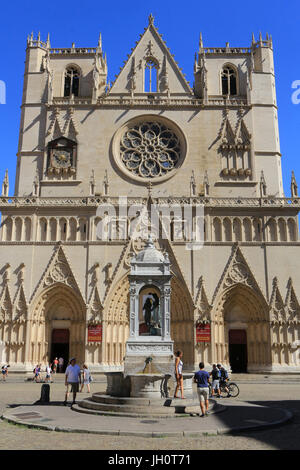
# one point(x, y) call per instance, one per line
point(254, 420)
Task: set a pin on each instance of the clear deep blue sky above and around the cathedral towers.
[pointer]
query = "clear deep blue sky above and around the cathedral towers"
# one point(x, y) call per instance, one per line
point(121, 23)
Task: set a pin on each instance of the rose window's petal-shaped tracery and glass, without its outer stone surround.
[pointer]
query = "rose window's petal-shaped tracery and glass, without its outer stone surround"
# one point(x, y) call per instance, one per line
point(150, 149)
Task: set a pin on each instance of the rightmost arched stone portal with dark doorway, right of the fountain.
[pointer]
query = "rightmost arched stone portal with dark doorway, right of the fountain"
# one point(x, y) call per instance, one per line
point(241, 332)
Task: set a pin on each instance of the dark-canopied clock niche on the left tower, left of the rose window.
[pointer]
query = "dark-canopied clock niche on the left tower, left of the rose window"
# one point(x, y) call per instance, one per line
point(62, 157)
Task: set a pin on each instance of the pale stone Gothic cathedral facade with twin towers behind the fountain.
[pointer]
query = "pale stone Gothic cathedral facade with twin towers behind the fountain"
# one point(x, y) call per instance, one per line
point(96, 161)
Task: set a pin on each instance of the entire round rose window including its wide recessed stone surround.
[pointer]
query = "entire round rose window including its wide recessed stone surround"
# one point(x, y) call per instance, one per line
point(149, 148)
